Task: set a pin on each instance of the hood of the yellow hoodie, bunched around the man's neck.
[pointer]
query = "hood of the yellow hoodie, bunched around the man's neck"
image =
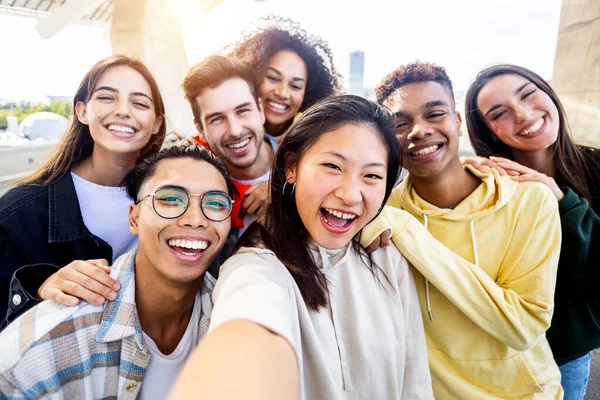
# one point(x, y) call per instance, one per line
point(494, 192)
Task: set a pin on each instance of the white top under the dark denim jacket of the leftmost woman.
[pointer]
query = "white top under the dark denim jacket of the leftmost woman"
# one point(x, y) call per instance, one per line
point(105, 212)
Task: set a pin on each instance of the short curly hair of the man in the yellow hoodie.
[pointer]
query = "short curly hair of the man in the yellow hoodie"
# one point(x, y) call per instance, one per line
point(412, 73)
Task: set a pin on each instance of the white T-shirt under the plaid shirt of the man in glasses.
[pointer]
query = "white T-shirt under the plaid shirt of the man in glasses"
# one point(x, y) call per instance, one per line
point(163, 369)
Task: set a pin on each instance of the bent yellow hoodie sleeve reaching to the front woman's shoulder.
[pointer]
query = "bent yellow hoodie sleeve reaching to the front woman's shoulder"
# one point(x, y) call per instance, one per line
point(516, 307)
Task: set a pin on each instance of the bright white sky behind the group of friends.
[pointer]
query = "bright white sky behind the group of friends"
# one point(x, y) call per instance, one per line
point(462, 35)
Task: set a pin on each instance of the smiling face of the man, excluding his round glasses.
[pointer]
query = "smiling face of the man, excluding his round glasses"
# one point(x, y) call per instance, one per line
point(179, 249)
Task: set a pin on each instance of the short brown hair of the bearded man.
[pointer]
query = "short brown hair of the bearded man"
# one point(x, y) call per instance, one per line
point(210, 73)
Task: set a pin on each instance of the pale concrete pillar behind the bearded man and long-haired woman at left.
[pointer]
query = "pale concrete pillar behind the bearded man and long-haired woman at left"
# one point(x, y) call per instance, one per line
point(150, 31)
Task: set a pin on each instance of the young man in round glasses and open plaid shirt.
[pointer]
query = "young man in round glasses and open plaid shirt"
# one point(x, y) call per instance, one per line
point(133, 347)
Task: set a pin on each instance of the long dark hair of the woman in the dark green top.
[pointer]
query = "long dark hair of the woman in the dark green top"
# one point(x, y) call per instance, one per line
point(572, 161)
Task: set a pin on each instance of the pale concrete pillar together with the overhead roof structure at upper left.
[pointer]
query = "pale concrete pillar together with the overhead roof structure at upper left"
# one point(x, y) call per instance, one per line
point(149, 30)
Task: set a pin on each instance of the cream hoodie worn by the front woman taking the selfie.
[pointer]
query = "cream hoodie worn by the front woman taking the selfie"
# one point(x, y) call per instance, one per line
point(368, 343)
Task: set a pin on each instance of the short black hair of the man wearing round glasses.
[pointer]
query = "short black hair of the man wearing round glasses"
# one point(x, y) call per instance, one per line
point(134, 180)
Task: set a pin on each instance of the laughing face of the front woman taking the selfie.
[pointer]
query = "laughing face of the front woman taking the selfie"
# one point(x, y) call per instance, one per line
point(340, 184)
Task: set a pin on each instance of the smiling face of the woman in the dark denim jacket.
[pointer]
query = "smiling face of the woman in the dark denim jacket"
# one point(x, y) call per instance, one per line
point(120, 112)
